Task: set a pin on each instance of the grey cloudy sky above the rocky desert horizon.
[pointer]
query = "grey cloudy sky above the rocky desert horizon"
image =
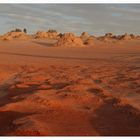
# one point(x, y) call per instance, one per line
point(96, 19)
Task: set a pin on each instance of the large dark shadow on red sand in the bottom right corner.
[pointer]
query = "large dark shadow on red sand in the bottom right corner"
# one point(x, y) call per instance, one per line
point(117, 120)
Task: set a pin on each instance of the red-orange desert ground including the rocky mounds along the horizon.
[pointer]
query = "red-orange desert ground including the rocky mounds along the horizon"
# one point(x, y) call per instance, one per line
point(64, 85)
